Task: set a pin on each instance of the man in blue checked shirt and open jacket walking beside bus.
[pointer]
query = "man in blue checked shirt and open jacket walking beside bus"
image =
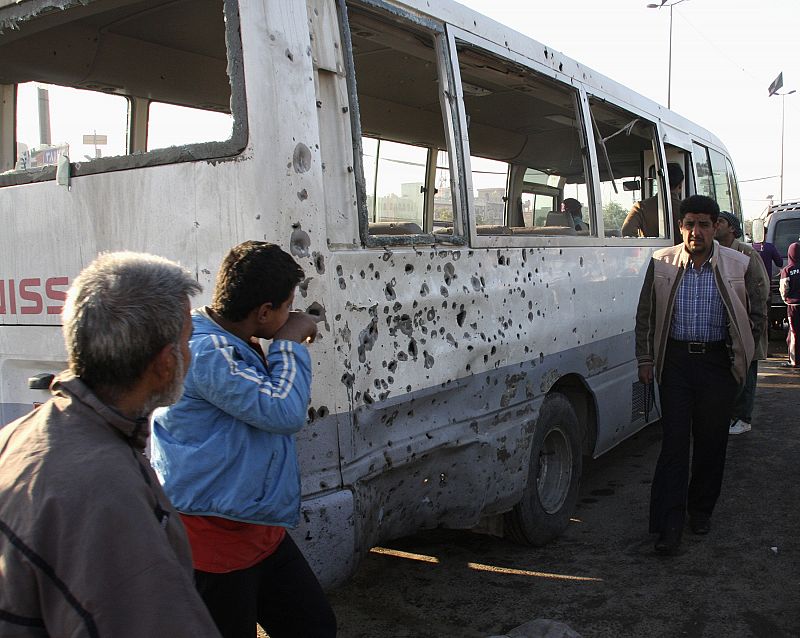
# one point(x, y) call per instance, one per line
point(693, 337)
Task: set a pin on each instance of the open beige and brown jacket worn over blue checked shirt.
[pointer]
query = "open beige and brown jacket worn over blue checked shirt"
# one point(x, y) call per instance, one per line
point(735, 283)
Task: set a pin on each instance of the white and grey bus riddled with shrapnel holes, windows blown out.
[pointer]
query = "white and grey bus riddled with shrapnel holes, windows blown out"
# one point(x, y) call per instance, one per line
point(475, 342)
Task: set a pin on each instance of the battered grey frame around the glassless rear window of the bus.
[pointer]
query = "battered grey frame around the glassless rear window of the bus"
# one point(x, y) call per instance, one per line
point(223, 150)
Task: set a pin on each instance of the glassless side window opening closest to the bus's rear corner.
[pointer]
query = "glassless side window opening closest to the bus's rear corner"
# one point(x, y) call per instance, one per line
point(405, 161)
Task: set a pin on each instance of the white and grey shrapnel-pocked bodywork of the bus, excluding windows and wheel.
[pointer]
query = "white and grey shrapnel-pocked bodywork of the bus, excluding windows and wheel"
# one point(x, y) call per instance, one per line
point(433, 357)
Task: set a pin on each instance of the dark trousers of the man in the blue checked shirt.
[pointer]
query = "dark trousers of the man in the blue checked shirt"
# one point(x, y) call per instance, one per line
point(697, 394)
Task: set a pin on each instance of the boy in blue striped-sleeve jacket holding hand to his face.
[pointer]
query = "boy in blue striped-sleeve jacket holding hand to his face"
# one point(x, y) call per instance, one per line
point(226, 452)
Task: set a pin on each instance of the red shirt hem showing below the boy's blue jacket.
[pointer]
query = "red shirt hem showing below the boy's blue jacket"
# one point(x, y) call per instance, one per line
point(220, 545)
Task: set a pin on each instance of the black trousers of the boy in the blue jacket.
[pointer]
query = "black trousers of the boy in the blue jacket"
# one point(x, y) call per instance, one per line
point(281, 593)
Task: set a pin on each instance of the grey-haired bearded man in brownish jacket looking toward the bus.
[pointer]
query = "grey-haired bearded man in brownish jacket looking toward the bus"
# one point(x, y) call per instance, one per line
point(90, 544)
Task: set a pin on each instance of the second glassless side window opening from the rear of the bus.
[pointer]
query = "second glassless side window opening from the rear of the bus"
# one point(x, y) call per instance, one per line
point(526, 146)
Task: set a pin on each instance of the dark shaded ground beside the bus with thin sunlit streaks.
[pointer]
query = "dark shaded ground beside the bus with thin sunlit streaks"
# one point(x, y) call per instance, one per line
point(601, 577)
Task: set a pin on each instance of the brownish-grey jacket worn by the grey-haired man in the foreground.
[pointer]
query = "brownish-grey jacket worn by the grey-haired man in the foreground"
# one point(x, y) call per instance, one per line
point(90, 545)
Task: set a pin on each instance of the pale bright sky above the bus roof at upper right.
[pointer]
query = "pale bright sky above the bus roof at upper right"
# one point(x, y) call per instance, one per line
point(725, 54)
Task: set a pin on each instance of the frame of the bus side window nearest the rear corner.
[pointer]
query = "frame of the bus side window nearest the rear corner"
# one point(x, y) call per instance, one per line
point(450, 127)
